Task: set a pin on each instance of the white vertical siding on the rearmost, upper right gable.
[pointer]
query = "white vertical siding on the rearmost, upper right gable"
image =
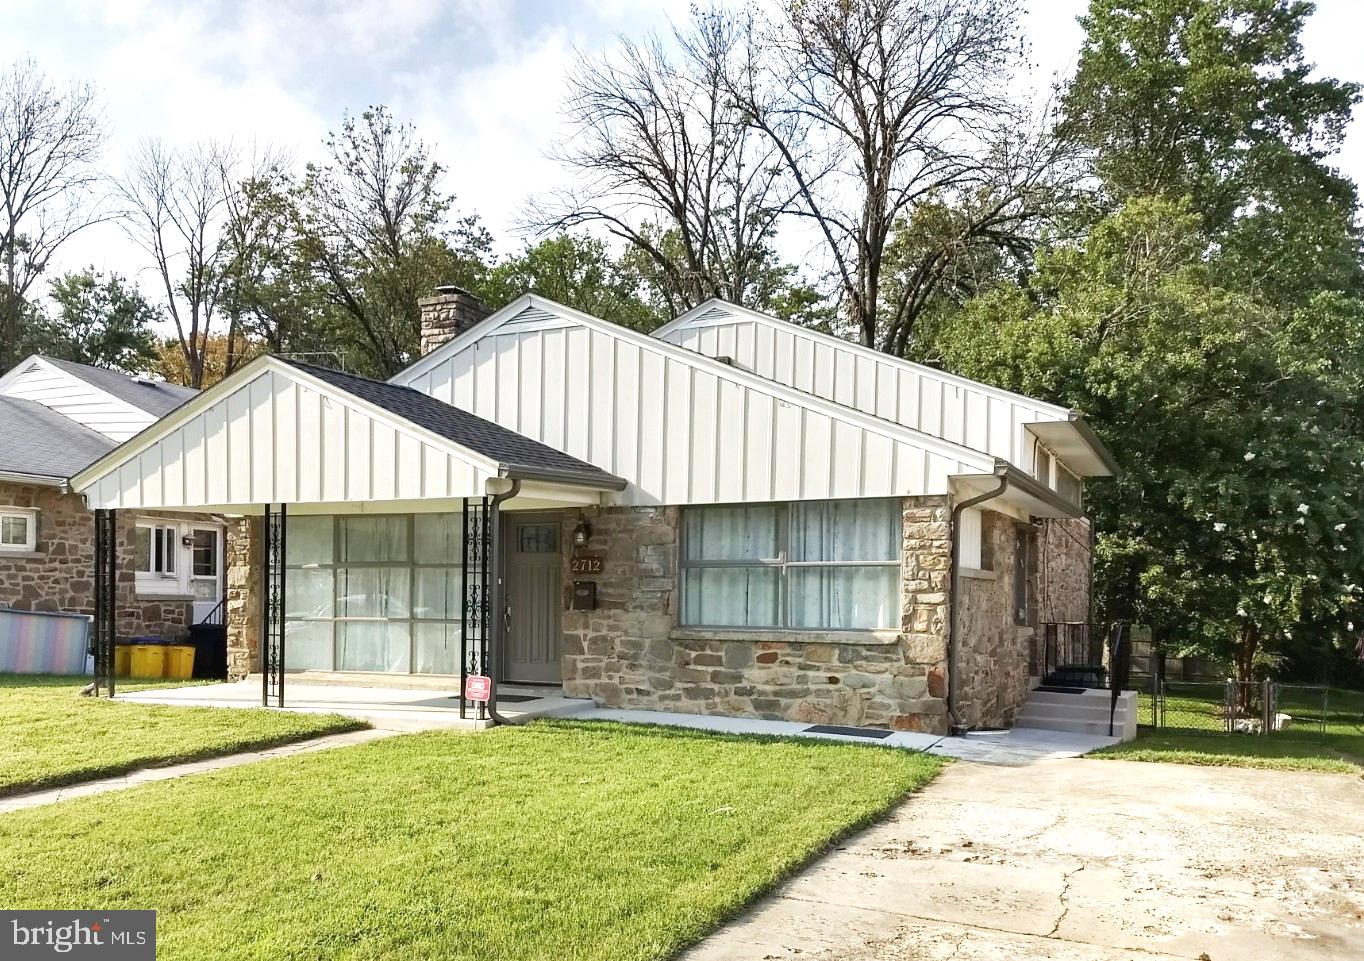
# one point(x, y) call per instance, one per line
point(981, 418)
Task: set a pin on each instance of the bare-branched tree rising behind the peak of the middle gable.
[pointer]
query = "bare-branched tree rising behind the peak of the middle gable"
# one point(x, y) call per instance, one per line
point(669, 163)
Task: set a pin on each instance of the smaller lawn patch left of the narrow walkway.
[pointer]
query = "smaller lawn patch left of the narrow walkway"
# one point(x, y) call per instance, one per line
point(54, 737)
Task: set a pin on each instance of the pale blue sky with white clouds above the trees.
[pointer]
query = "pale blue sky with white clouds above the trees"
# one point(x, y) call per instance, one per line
point(482, 81)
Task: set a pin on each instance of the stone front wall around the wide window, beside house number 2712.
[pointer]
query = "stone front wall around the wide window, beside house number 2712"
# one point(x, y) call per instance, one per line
point(629, 652)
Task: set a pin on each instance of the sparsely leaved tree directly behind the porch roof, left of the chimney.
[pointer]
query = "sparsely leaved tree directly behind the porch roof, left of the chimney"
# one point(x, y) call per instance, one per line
point(374, 234)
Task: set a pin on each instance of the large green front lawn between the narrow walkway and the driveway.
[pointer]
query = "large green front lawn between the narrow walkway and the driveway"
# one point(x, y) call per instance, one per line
point(565, 842)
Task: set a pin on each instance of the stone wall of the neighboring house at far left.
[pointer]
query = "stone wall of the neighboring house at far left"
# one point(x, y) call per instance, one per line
point(59, 576)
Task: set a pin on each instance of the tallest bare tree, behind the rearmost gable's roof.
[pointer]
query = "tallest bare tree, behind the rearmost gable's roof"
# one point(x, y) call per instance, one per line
point(901, 115)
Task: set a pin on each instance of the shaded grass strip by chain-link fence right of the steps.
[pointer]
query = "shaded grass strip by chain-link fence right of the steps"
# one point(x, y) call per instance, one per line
point(1331, 741)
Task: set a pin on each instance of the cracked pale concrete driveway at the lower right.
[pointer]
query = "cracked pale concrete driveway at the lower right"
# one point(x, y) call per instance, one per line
point(1082, 859)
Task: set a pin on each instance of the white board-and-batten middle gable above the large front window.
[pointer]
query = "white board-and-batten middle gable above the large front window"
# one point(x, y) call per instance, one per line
point(679, 427)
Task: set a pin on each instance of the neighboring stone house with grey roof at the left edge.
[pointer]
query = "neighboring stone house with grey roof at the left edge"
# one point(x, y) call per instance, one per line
point(57, 418)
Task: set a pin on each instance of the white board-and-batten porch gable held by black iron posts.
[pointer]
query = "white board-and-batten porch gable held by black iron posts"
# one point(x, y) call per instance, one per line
point(275, 440)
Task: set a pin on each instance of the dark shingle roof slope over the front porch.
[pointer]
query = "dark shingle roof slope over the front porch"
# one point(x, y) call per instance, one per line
point(484, 437)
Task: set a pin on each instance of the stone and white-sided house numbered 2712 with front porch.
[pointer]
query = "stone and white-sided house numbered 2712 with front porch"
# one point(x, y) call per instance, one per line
point(733, 516)
